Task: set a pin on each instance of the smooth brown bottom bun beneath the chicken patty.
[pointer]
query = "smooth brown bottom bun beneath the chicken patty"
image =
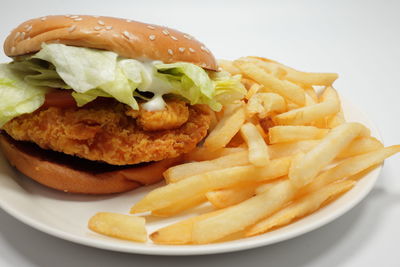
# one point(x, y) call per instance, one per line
point(76, 175)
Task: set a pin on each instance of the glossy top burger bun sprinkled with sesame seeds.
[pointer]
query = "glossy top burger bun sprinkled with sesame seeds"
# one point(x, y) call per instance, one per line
point(127, 38)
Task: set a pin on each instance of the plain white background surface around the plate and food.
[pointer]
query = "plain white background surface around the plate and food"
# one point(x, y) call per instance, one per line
point(360, 40)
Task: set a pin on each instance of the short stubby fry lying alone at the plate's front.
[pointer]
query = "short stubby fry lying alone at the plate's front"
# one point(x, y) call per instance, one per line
point(119, 225)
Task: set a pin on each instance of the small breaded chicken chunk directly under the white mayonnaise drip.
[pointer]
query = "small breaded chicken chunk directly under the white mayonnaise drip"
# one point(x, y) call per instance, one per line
point(175, 114)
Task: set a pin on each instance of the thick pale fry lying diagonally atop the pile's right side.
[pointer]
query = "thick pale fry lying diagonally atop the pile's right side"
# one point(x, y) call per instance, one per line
point(304, 170)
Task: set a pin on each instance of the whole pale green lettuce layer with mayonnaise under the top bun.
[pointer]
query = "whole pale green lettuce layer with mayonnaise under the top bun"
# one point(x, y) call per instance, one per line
point(93, 73)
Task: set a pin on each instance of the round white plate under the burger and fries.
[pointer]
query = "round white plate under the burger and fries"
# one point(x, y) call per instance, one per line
point(66, 216)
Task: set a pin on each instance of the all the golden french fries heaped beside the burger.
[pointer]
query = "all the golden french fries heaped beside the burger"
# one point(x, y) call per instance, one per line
point(279, 154)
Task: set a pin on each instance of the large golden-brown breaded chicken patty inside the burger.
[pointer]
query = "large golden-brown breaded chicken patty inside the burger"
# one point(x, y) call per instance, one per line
point(106, 133)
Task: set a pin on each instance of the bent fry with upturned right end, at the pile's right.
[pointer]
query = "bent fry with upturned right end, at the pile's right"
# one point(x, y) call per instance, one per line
point(306, 115)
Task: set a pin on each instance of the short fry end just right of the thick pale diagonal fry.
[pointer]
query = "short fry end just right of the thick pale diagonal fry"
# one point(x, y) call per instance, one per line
point(360, 145)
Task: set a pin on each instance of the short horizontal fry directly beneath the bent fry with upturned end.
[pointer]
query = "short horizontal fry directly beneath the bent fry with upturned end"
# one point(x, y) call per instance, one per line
point(282, 134)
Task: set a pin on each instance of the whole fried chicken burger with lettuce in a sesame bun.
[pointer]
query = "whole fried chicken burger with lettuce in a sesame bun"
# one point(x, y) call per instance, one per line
point(99, 105)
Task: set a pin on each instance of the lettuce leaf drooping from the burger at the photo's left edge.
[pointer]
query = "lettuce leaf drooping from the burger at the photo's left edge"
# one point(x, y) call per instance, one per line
point(17, 96)
